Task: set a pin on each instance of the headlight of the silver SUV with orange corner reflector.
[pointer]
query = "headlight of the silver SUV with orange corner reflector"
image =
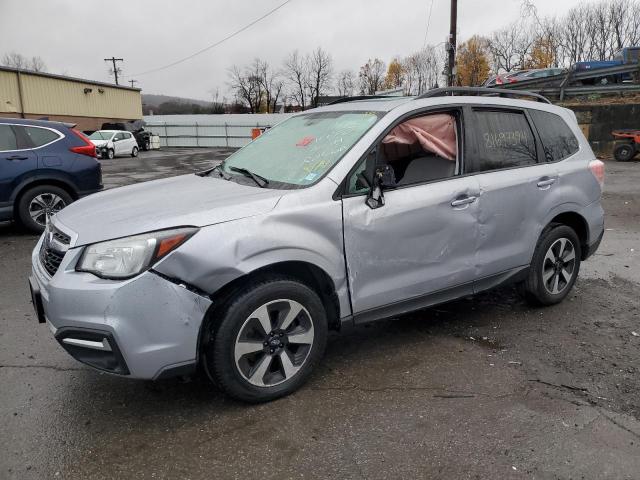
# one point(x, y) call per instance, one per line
point(127, 257)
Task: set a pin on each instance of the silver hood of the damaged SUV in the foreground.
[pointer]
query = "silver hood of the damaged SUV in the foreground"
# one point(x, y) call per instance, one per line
point(160, 204)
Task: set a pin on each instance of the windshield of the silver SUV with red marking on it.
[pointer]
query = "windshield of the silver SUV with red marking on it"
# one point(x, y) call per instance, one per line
point(300, 150)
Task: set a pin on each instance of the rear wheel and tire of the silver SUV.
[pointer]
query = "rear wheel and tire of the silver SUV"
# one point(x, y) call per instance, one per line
point(554, 268)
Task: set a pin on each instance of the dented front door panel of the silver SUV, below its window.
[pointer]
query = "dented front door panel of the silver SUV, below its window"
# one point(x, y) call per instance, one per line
point(419, 245)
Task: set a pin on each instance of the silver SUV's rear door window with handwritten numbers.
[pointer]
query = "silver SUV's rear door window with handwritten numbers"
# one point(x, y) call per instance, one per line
point(503, 140)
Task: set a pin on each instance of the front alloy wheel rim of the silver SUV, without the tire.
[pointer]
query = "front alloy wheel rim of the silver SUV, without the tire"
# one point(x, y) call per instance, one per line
point(274, 343)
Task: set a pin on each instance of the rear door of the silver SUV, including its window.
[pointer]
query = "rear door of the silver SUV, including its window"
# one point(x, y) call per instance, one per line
point(514, 181)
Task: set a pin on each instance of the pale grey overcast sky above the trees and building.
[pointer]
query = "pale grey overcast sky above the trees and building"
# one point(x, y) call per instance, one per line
point(74, 36)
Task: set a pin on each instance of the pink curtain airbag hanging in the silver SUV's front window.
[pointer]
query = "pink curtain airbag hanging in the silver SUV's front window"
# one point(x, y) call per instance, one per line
point(434, 133)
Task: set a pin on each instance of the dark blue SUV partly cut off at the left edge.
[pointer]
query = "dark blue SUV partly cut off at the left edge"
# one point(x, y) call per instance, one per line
point(44, 166)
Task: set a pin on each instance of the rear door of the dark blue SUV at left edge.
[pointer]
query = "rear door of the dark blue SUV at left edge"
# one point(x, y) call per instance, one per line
point(16, 160)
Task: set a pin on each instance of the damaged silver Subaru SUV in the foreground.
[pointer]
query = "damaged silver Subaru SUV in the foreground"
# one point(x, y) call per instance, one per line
point(341, 215)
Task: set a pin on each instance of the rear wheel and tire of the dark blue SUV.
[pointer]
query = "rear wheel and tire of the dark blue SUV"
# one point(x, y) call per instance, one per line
point(38, 202)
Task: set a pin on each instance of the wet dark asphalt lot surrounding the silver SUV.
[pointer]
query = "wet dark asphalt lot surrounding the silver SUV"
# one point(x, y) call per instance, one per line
point(484, 387)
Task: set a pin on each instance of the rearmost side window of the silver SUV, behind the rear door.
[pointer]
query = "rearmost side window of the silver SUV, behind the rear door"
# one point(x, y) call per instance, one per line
point(558, 140)
